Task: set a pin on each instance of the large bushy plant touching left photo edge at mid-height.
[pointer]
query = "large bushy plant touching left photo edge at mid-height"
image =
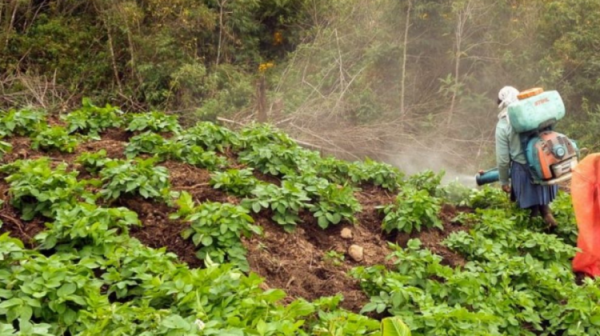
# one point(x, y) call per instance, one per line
point(37, 188)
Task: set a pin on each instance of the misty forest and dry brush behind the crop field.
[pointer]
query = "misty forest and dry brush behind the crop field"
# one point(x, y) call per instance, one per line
point(410, 82)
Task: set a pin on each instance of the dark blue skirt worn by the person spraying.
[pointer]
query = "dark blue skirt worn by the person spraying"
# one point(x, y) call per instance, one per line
point(524, 192)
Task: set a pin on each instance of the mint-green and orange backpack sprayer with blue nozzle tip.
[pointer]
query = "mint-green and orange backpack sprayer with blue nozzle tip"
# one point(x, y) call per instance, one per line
point(551, 156)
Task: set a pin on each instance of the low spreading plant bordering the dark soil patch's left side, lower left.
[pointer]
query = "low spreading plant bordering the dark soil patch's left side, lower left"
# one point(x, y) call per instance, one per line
point(86, 225)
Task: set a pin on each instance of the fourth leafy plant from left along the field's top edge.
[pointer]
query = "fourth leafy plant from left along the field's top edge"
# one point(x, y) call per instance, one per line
point(209, 136)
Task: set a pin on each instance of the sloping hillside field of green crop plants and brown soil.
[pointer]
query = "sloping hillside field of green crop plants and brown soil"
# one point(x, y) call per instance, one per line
point(447, 260)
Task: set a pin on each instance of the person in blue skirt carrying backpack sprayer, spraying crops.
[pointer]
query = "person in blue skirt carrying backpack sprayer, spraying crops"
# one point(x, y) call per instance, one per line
point(532, 159)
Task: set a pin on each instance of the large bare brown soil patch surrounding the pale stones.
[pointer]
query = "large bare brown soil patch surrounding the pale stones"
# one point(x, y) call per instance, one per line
point(296, 262)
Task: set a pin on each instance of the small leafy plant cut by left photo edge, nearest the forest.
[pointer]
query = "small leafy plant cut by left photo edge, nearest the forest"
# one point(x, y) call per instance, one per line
point(24, 122)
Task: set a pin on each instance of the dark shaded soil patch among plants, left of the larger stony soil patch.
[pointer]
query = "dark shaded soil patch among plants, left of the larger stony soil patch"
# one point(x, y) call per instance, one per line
point(158, 230)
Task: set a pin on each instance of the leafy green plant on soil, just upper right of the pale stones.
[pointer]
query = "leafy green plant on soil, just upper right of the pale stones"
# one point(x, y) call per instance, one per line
point(413, 209)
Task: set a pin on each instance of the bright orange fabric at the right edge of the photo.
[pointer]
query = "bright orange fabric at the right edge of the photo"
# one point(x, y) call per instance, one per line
point(585, 192)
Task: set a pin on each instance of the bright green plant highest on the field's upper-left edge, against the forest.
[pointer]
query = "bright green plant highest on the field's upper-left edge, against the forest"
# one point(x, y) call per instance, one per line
point(91, 119)
